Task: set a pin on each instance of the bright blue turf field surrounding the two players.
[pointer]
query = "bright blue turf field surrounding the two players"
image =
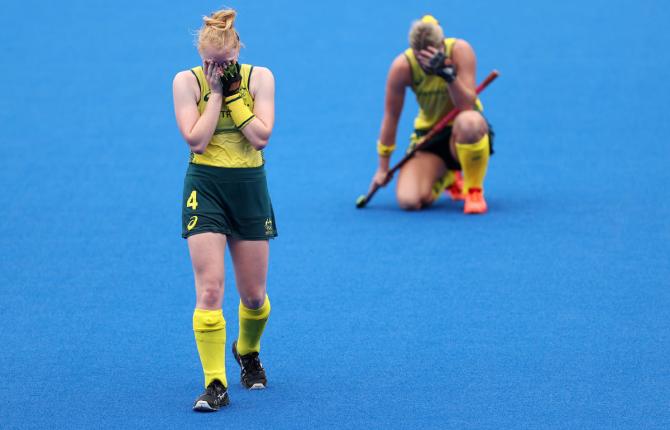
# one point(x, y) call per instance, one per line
point(552, 311)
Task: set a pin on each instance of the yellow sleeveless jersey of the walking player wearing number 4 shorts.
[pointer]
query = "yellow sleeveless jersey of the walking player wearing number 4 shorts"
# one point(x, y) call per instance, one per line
point(228, 147)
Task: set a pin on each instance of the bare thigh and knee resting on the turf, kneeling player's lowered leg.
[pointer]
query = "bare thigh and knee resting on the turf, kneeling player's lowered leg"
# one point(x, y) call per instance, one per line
point(416, 179)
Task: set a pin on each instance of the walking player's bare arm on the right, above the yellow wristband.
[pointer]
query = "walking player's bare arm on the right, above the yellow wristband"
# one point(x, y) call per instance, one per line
point(262, 85)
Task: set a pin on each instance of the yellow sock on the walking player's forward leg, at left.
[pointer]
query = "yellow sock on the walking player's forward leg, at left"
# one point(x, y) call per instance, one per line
point(210, 336)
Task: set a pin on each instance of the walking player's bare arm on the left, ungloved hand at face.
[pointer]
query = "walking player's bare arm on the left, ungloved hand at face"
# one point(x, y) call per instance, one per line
point(196, 129)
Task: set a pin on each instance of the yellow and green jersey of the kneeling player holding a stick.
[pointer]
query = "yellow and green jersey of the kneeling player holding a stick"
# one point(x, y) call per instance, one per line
point(431, 91)
